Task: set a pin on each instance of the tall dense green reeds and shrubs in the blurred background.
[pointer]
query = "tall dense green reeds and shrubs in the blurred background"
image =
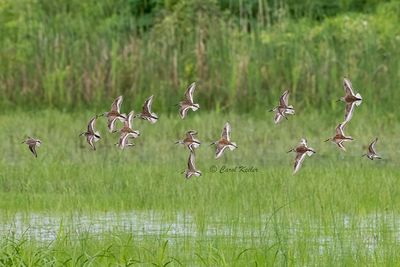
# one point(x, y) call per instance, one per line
point(67, 54)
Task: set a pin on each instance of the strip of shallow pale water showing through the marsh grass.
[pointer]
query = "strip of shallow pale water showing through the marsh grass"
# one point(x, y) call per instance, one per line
point(366, 232)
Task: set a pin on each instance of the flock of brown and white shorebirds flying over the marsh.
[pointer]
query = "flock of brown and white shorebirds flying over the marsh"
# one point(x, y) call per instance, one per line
point(190, 141)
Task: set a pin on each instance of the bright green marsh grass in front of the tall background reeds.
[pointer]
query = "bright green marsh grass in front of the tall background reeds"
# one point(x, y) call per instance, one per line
point(339, 209)
